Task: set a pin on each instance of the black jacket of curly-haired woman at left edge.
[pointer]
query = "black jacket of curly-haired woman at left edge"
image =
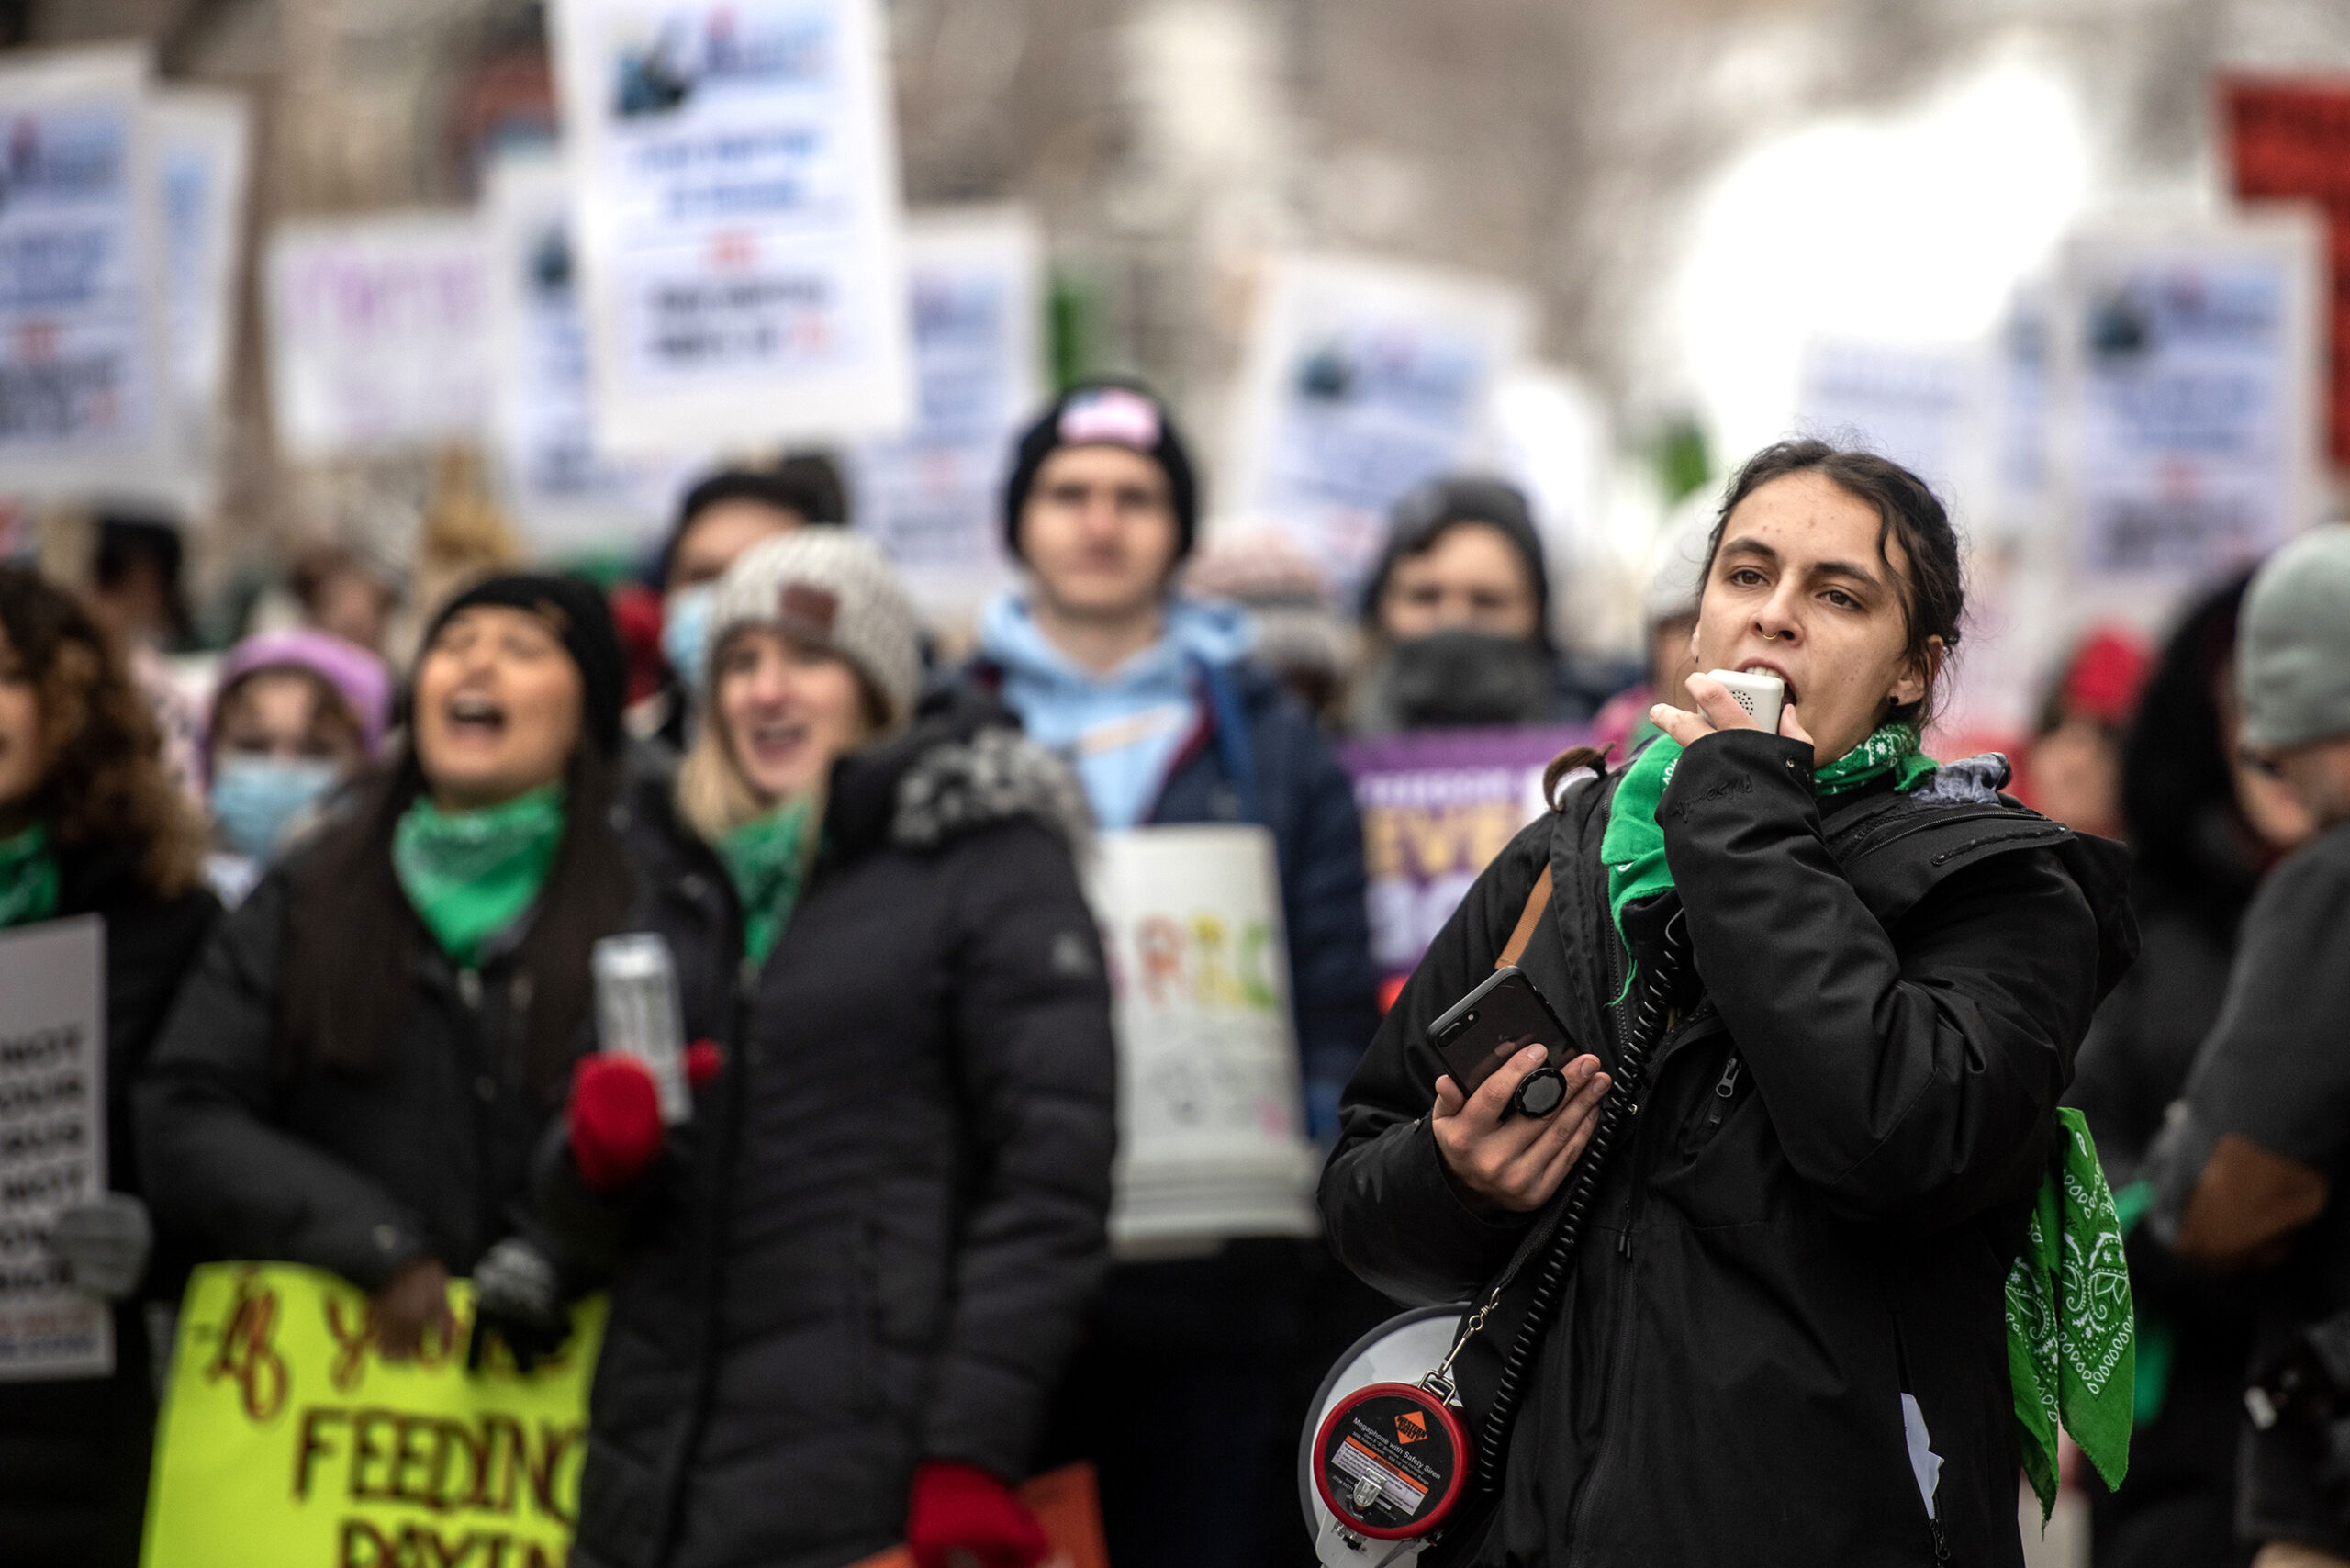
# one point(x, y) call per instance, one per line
point(74, 1456)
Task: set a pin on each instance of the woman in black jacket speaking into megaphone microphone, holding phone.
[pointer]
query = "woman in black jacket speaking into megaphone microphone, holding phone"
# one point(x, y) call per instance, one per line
point(1846, 989)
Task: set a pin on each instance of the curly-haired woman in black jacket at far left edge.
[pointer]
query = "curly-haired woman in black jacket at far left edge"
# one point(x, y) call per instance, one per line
point(90, 826)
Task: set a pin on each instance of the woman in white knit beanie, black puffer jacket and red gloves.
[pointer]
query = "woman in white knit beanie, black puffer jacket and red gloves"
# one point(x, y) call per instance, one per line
point(845, 1289)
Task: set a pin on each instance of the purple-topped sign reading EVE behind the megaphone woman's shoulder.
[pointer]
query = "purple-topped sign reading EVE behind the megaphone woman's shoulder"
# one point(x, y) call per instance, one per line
point(1437, 808)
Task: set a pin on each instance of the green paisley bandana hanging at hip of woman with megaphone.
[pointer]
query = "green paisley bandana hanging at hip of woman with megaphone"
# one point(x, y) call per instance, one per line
point(2072, 1339)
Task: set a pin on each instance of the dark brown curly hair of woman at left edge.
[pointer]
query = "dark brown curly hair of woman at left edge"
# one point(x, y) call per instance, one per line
point(105, 782)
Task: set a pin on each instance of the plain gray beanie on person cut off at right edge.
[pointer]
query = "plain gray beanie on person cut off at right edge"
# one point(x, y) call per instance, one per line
point(2292, 652)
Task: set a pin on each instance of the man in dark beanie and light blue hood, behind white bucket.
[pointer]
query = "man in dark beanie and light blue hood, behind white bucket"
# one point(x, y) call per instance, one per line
point(1167, 721)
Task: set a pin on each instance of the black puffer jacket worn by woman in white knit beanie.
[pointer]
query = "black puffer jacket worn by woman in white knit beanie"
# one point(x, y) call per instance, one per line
point(875, 1240)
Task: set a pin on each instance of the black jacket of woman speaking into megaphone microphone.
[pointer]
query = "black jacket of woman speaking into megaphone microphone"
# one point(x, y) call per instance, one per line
point(1820, 1200)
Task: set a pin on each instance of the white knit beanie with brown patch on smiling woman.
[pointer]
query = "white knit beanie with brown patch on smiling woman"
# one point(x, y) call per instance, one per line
point(831, 589)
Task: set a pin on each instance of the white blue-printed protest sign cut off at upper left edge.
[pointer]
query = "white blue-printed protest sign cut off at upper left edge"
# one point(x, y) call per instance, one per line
point(86, 389)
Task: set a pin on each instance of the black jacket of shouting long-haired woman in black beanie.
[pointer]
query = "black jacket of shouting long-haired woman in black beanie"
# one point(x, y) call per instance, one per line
point(363, 1174)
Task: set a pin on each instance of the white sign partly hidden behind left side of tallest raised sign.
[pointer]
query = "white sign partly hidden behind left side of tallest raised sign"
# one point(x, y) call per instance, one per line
point(565, 488)
